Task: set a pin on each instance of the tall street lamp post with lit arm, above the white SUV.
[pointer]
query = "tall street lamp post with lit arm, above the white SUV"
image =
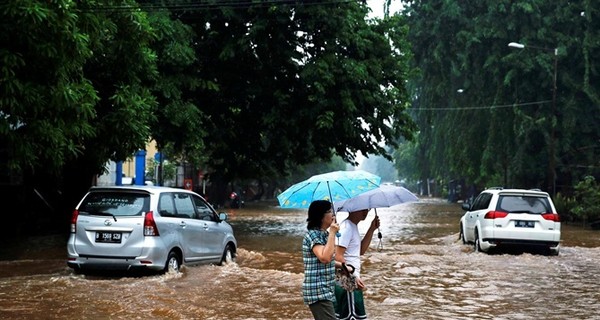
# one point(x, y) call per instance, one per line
point(552, 147)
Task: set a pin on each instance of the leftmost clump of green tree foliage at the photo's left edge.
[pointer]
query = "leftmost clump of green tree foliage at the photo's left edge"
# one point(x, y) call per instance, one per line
point(46, 104)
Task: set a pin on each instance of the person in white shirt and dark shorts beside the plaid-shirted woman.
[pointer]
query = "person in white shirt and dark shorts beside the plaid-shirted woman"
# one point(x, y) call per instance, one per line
point(350, 305)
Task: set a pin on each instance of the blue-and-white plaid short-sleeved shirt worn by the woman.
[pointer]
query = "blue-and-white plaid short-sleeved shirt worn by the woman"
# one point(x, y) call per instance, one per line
point(319, 278)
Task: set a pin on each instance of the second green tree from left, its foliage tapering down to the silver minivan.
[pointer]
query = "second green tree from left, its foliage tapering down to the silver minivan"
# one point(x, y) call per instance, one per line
point(122, 71)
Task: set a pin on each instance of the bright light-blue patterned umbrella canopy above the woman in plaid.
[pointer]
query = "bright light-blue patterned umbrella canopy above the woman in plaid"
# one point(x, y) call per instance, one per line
point(331, 186)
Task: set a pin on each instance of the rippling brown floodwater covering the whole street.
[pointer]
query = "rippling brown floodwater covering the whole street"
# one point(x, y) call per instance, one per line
point(421, 271)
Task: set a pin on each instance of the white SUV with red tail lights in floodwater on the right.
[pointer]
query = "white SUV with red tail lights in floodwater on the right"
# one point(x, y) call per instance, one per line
point(511, 217)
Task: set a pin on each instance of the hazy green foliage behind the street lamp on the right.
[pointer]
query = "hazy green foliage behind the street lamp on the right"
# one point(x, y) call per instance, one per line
point(498, 130)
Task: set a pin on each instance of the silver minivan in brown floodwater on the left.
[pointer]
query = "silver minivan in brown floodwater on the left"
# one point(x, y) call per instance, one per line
point(147, 227)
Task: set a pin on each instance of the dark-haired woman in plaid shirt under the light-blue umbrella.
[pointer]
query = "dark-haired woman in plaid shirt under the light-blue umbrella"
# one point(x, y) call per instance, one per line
point(318, 249)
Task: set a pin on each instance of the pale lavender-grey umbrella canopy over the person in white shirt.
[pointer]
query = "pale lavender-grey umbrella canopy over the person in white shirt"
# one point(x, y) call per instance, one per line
point(381, 197)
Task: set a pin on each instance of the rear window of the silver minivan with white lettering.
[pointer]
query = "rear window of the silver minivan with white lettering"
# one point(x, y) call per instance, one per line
point(115, 203)
